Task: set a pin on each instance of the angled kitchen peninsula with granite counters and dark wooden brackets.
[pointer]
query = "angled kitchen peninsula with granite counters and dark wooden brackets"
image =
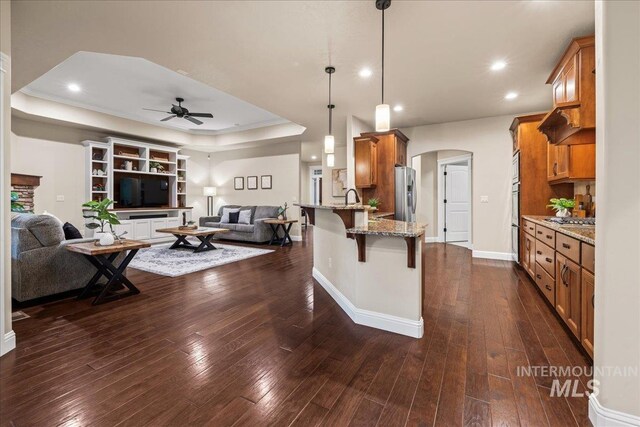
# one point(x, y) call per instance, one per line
point(371, 268)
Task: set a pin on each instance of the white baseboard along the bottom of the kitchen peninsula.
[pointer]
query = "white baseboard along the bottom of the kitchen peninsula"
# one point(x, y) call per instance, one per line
point(386, 322)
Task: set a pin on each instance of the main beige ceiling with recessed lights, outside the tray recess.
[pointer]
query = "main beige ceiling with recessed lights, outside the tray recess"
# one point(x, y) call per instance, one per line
point(272, 54)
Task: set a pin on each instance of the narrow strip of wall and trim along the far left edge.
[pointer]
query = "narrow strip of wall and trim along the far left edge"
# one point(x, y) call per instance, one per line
point(5, 179)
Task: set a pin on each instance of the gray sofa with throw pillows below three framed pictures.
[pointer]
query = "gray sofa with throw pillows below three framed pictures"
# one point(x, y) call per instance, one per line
point(256, 232)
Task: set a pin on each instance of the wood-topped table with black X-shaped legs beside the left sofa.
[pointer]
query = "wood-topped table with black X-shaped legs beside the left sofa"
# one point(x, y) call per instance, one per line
point(102, 257)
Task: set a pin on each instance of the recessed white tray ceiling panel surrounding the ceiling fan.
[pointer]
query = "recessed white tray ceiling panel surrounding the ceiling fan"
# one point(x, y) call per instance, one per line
point(123, 86)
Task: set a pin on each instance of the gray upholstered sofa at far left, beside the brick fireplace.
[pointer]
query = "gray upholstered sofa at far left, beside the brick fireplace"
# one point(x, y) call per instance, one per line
point(40, 264)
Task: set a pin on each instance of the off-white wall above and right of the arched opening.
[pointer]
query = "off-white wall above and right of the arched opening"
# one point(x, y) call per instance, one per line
point(489, 141)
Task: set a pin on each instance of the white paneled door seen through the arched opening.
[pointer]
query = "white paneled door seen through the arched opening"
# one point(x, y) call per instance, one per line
point(457, 203)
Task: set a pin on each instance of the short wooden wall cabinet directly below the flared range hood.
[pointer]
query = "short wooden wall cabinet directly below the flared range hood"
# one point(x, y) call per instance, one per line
point(571, 163)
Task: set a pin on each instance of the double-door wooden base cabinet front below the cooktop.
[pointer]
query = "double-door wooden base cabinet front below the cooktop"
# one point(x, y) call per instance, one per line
point(568, 293)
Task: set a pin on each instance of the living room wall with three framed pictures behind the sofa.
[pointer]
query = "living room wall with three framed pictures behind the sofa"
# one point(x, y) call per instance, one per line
point(281, 161)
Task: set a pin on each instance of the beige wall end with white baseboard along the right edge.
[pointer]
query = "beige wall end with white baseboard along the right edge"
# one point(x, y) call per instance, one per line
point(617, 293)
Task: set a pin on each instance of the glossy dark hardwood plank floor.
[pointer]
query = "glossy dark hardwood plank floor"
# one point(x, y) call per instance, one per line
point(258, 342)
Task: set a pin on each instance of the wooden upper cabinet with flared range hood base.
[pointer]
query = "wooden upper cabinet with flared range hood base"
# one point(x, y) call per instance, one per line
point(572, 120)
